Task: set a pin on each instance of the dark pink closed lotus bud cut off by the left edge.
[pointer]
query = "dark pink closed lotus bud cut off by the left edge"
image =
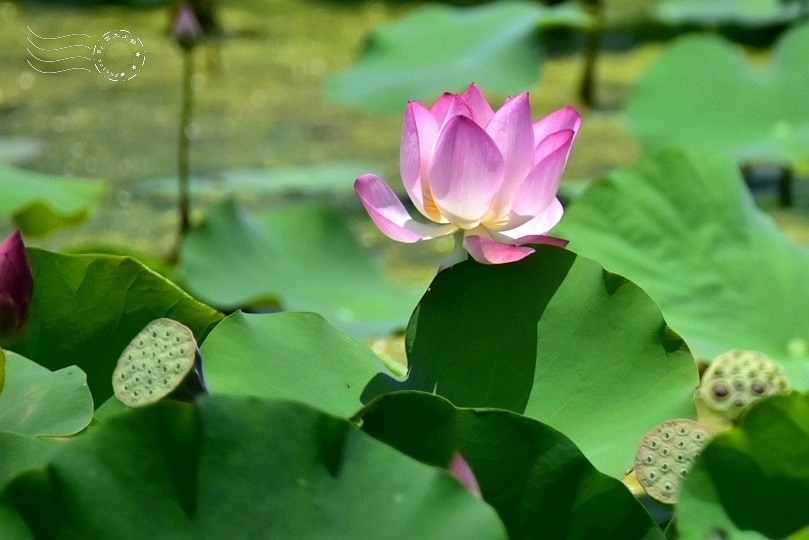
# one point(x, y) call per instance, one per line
point(16, 285)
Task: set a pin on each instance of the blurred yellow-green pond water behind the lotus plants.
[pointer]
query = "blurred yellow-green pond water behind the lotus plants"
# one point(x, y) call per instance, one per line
point(259, 105)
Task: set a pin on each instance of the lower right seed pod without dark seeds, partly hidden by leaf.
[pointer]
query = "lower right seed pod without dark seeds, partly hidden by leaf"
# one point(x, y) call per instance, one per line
point(666, 454)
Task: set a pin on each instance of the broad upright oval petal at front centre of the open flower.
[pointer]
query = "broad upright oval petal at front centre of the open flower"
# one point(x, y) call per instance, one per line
point(466, 173)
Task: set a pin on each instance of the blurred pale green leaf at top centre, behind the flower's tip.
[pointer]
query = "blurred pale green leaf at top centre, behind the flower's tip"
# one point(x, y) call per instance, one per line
point(436, 48)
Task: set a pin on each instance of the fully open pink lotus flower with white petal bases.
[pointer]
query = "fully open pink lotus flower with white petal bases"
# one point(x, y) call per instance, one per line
point(488, 177)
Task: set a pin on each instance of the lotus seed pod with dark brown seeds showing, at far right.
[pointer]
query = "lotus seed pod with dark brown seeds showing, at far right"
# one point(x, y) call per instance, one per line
point(736, 379)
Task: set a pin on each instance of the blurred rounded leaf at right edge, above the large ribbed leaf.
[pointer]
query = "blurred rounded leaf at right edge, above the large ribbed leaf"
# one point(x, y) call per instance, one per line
point(702, 94)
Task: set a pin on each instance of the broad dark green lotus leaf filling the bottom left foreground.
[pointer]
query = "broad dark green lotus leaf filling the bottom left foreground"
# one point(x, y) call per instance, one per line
point(242, 467)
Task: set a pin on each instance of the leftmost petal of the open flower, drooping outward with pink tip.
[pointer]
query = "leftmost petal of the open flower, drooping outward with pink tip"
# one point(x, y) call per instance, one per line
point(390, 215)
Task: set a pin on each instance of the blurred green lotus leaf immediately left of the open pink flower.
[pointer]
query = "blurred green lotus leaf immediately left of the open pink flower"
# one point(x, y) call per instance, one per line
point(304, 257)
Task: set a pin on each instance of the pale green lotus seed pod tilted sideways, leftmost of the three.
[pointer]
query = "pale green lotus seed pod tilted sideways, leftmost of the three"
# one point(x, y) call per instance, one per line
point(162, 360)
